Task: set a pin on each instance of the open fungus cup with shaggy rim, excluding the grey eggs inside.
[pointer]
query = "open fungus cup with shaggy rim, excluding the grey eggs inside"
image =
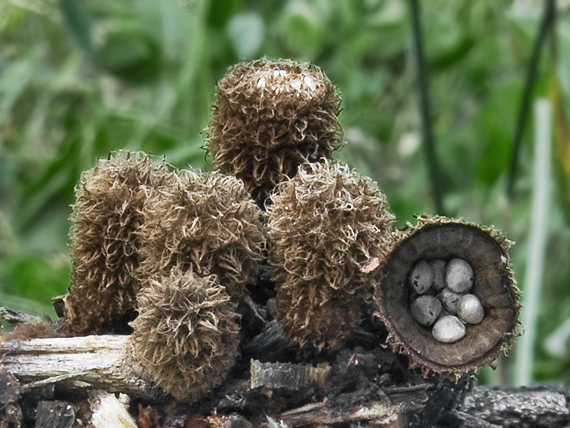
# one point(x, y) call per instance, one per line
point(486, 251)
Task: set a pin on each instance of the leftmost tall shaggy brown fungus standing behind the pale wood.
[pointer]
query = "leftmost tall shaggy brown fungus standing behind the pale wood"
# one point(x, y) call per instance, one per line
point(105, 244)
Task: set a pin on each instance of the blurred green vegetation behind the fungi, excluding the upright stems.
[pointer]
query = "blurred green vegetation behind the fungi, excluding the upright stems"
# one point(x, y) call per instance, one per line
point(79, 79)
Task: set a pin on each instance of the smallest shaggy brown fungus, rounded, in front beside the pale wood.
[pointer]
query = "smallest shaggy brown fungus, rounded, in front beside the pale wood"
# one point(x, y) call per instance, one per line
point(186, 334)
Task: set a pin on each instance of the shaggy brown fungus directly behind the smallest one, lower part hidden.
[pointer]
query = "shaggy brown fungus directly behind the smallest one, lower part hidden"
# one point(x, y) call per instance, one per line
point(206, 224)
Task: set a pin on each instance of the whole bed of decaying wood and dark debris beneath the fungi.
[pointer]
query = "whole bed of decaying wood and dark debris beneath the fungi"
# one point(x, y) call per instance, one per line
point(359, 385)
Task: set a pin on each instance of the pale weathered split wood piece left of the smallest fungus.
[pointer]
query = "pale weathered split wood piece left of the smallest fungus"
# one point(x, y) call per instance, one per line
point(100, 362)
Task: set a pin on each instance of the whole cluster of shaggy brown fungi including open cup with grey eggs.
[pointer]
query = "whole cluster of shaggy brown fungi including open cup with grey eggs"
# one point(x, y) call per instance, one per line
point(168, 256)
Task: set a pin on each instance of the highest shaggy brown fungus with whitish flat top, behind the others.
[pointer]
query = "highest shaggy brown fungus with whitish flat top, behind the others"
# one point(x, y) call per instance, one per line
point(270, 117)
